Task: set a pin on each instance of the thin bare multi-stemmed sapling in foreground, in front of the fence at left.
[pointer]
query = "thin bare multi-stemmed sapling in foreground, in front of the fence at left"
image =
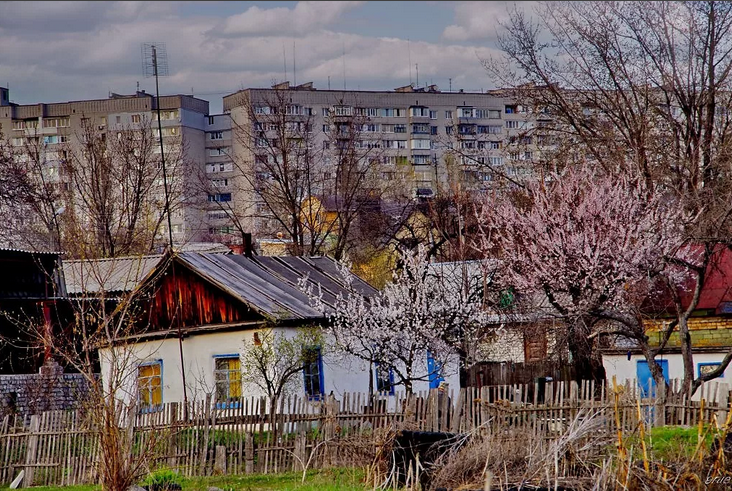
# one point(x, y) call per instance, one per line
point(93, 330)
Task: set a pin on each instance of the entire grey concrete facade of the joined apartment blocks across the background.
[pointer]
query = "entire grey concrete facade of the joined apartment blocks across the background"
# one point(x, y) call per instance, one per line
point(416, 130)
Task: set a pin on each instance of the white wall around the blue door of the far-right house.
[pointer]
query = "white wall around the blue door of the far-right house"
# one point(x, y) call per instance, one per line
point(624, 369)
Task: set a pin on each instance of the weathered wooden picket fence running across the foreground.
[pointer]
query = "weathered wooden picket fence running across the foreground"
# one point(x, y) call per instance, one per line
point(62, 447)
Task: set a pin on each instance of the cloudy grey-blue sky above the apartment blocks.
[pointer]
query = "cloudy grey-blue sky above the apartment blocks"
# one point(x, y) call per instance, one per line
point(61, 51)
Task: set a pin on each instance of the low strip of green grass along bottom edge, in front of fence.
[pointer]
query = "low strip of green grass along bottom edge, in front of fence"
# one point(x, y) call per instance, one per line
point(316, 480)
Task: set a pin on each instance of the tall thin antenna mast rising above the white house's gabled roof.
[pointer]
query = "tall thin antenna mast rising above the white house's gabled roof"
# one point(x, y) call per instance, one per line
point(155, 64)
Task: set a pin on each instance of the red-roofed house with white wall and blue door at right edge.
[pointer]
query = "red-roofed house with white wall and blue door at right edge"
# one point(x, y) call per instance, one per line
point(710, 328)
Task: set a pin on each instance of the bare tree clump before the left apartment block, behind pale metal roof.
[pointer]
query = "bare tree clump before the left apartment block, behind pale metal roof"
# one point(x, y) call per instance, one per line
point(115, 183)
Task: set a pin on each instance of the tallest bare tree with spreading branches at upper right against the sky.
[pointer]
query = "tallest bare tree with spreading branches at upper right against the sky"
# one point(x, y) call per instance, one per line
point(638, 87)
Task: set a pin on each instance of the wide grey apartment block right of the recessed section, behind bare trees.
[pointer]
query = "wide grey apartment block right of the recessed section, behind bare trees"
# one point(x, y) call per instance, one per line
point(436, 139)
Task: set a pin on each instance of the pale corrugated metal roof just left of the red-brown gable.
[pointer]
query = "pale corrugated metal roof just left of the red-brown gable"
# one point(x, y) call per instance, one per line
point(113, 275)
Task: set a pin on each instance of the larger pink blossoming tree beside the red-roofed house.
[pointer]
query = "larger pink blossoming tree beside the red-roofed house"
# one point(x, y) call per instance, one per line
point(593, 245)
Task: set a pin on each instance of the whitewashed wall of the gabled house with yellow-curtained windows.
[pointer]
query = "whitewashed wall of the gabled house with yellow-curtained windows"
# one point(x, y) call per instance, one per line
point(341, 374)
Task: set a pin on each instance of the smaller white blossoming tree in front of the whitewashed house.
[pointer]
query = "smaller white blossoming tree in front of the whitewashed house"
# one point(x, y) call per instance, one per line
point(416, 314)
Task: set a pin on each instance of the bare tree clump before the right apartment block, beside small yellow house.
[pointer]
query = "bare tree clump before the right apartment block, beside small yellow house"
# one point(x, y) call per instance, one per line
point(313, 184)
